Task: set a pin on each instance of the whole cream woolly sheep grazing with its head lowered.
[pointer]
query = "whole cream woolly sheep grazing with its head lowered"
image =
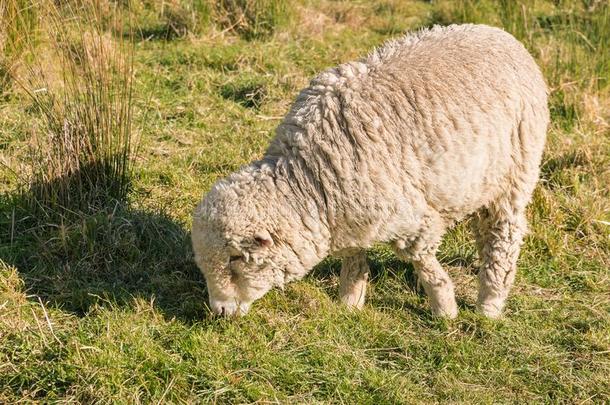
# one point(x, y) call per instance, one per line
point(396, 147)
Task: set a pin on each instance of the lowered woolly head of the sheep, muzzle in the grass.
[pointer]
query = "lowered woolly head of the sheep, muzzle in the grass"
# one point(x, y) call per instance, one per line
point(237, 250)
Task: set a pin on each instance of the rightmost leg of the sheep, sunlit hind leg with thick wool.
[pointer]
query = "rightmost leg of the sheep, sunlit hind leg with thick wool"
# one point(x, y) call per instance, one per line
point(499, 235)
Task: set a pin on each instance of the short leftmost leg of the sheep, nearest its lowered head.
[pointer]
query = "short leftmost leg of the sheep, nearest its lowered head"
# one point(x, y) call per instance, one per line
point(354, 277)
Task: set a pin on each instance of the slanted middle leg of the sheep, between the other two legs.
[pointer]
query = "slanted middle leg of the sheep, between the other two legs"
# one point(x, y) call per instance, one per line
point(438, 286)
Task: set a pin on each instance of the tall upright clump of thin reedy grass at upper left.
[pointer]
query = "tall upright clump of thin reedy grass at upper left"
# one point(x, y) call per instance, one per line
point(81, 93)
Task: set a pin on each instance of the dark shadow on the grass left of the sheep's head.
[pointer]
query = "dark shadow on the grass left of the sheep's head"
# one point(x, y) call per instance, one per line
point(103, 255)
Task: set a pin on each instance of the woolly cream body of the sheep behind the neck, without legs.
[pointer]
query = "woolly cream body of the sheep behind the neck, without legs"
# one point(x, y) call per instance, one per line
point(447, 118)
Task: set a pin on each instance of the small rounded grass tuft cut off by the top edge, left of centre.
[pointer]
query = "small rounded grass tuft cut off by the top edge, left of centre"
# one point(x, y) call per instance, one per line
point(252, 19)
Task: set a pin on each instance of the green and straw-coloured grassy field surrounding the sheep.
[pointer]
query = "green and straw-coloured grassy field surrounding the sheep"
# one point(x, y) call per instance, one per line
point(103, 303)
